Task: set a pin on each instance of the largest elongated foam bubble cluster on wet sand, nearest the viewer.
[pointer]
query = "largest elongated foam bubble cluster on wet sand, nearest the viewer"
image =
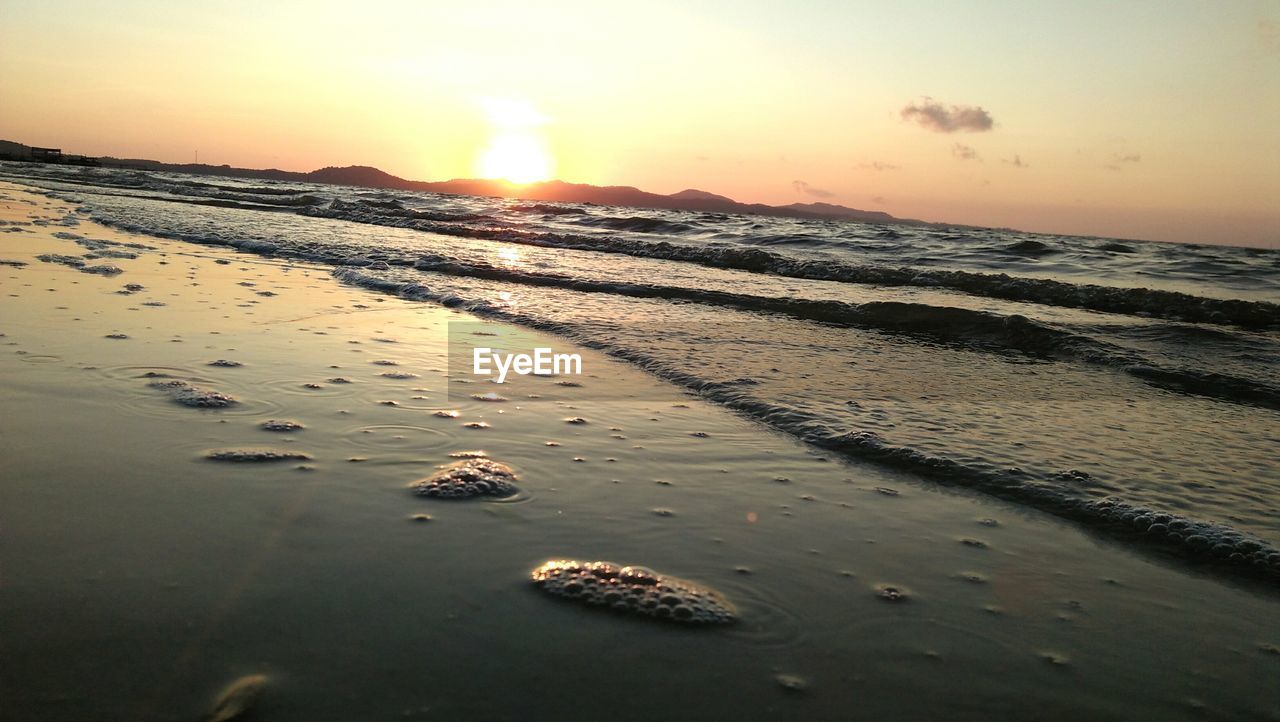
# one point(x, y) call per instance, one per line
point(634, 590)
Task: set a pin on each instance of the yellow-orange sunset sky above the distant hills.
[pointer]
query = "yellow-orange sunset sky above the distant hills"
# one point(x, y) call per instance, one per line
point(1136, 120)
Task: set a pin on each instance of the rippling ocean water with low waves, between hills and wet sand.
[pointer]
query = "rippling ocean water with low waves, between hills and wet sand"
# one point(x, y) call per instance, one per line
point(1130, 387)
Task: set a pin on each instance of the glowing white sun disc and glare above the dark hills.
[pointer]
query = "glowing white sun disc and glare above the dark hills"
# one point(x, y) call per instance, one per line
point(516, 150)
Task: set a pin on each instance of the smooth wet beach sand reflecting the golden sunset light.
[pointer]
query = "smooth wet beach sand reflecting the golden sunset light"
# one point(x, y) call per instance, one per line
point(139, 579)
